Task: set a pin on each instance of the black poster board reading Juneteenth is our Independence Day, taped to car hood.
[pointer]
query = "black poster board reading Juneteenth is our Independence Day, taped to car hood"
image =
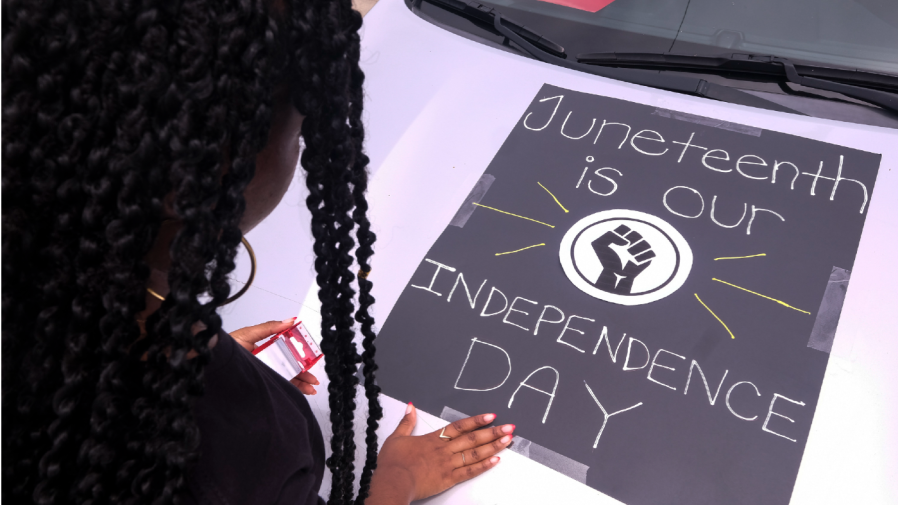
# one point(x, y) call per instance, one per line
point(700, 254)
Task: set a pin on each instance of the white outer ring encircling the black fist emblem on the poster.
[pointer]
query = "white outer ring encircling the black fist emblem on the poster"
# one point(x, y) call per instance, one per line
point(567, 263)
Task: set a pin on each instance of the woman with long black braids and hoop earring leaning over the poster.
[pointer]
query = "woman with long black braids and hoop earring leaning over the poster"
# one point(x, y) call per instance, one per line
point(140, 141)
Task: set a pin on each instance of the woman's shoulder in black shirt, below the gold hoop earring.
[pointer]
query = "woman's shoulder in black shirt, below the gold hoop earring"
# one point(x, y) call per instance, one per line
point(259, 441)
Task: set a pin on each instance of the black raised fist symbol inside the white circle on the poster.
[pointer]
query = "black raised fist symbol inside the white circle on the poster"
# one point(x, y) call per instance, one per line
point(624, 255)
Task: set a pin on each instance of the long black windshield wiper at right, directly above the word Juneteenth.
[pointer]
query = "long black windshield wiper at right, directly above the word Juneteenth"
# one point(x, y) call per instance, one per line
point(865, 86)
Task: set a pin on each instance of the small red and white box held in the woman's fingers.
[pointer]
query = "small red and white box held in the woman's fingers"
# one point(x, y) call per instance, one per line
point(290, 352)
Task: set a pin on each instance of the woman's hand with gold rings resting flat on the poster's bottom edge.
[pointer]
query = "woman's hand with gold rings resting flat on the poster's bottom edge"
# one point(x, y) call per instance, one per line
point(411, 468)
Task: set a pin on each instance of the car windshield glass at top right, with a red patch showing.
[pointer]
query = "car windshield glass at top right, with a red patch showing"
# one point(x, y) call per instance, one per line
point(853, 34)
